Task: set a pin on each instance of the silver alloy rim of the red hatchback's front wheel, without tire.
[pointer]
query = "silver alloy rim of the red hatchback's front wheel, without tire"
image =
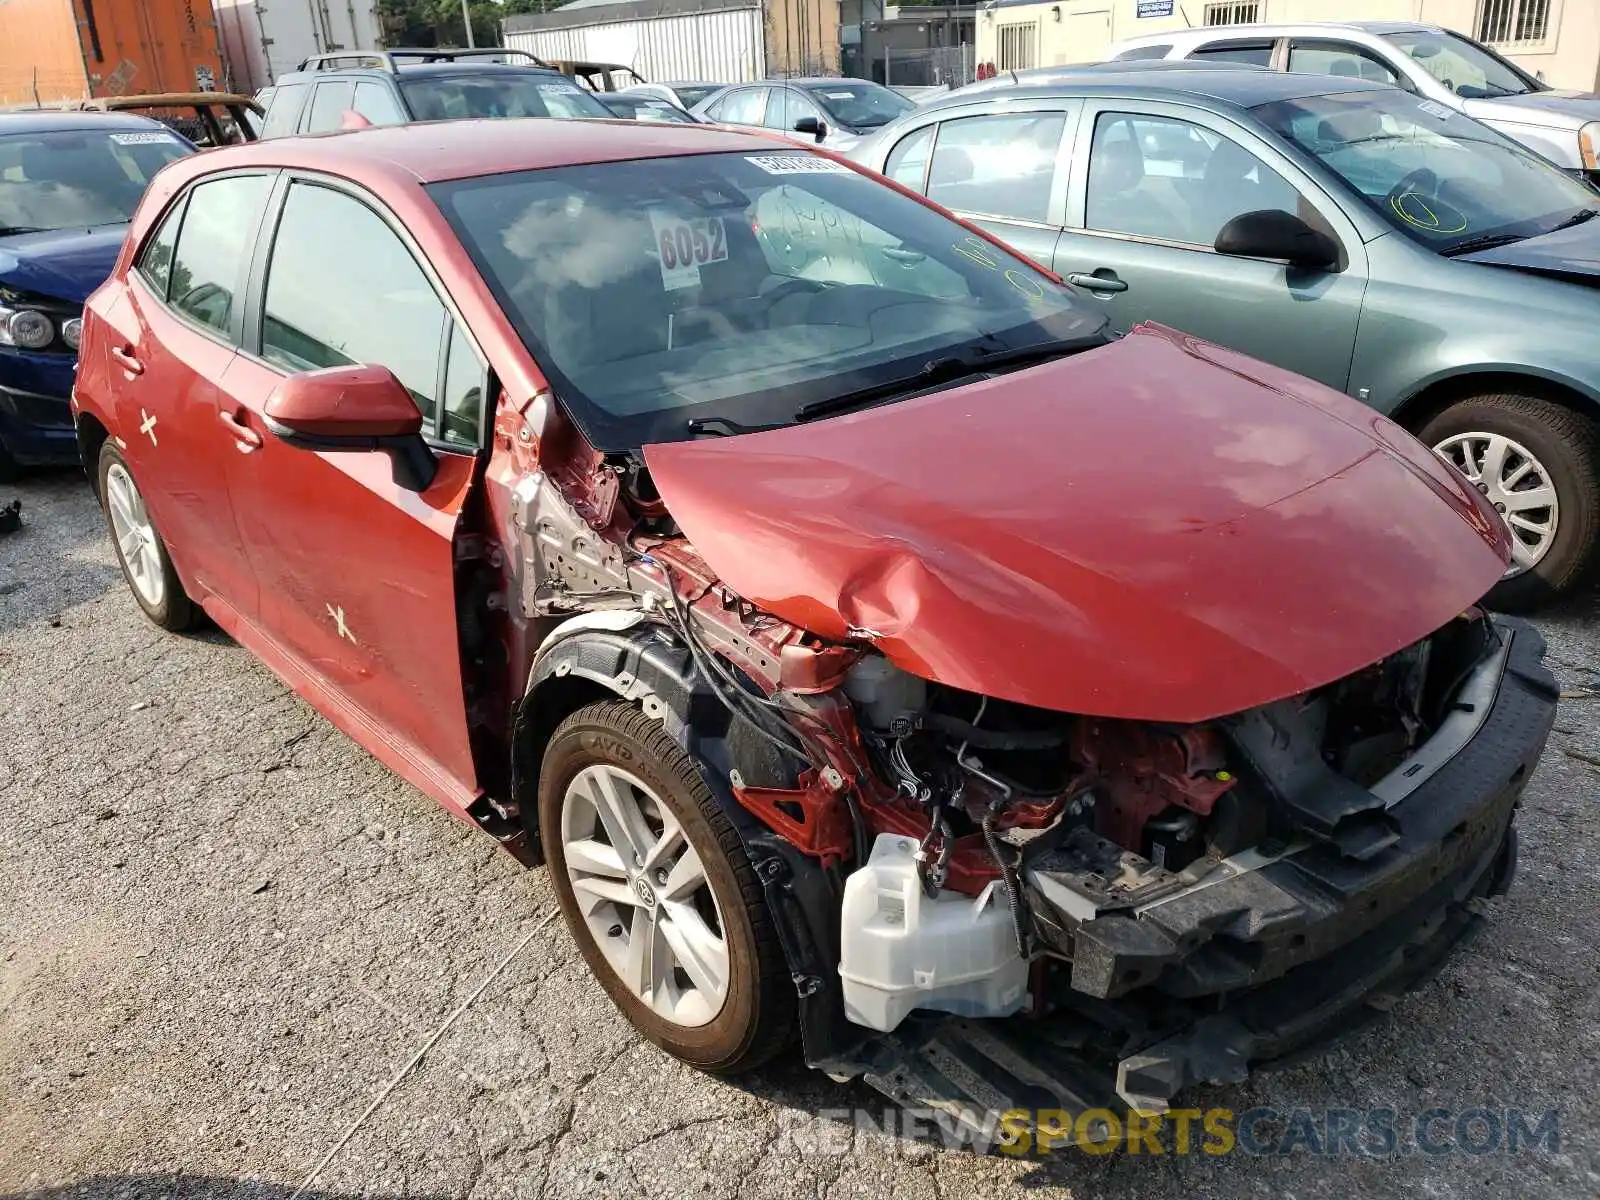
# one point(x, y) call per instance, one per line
point(644, 895)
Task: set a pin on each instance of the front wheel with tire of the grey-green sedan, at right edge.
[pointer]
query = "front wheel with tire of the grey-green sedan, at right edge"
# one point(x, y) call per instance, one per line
point(1566, 447)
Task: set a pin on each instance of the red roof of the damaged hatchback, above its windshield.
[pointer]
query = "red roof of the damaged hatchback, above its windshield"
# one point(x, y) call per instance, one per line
point(438, 151)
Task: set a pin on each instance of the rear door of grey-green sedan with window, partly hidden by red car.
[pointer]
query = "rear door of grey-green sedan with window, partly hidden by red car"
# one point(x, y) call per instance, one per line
point(1004, 172)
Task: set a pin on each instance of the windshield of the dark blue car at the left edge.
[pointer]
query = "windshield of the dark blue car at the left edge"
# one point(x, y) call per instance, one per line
point(79, 178)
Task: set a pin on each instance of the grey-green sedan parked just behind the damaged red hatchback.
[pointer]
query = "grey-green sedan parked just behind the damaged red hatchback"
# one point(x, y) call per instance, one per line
point(1348, 231)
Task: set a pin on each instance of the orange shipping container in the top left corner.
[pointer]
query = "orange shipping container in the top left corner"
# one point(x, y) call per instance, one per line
point(70, 50)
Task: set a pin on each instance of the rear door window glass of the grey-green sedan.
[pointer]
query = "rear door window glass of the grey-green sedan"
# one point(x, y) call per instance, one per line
point(999, 166)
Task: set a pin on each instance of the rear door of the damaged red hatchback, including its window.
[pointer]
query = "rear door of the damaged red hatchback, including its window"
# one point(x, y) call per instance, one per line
point(170, 332)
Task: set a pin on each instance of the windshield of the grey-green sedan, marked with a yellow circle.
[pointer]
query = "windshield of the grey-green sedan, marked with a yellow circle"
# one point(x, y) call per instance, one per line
point(1433, 174)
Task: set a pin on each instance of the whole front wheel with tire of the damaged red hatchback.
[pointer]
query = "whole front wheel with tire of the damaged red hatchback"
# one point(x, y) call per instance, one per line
point(756, 1017)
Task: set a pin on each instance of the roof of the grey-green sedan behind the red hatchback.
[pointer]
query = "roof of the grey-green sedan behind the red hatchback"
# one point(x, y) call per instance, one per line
point(1244, 87)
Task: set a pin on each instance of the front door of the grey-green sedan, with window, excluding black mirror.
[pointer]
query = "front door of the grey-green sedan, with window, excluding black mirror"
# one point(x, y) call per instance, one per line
point(1153, 185)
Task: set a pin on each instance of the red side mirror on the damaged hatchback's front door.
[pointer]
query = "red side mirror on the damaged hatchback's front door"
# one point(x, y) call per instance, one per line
point(354, 409)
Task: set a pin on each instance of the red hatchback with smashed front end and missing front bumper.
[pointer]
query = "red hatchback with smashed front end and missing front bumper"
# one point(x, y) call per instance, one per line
point(873, 647)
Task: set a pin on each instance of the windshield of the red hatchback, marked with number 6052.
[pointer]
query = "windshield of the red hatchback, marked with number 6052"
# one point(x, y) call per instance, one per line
point(740, 287)
